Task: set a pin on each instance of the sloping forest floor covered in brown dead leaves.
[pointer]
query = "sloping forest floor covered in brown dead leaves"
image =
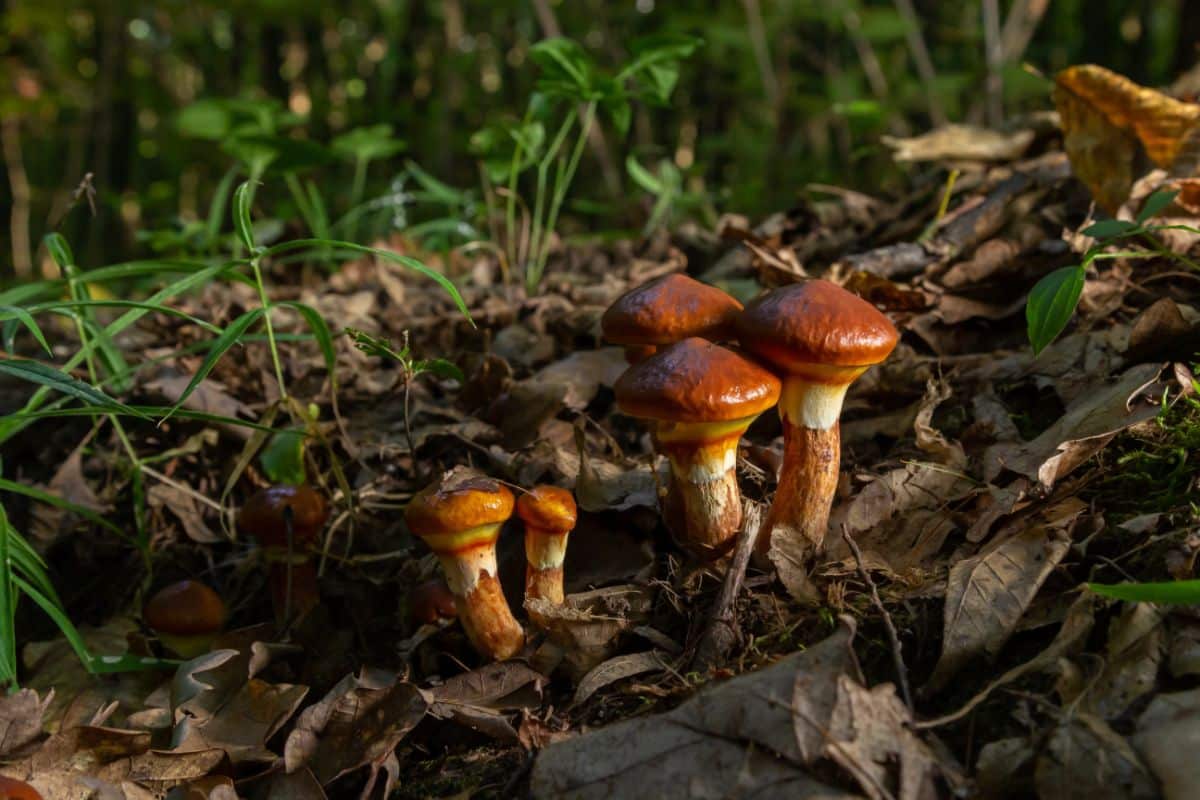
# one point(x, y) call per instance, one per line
point(982, 485)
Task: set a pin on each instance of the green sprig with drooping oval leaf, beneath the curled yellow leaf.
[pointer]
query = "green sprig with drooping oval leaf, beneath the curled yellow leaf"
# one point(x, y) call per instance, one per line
point(1054, 299)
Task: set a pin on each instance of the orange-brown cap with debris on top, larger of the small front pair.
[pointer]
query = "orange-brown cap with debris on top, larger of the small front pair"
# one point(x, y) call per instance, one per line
point(459, 502)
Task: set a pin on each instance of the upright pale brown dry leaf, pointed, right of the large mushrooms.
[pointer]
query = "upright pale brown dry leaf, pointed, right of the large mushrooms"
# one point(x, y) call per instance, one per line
point(988, 594)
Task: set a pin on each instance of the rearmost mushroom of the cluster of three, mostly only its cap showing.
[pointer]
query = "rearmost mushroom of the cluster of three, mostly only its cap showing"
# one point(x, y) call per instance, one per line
point(665, 311)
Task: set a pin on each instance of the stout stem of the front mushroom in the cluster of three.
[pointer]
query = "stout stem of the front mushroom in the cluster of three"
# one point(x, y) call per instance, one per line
point(704, 507)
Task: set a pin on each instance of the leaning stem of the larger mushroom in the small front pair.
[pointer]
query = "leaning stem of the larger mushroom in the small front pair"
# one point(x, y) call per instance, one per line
point(469, 562)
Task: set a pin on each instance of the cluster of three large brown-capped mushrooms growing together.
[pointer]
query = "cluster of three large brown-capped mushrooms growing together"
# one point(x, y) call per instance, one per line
point(801, 346)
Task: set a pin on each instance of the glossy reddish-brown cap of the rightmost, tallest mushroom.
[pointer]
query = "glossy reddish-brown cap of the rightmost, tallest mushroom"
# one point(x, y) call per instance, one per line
point(817, 323)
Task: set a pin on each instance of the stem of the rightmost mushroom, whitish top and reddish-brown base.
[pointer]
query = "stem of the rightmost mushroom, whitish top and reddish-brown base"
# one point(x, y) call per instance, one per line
point(808, 479)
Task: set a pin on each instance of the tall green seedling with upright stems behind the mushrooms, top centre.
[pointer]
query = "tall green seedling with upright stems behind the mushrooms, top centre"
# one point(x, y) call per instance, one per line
point(572, 94)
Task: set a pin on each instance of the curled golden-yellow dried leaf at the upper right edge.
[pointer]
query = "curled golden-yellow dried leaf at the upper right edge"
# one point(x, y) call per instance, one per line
point(1105, 118)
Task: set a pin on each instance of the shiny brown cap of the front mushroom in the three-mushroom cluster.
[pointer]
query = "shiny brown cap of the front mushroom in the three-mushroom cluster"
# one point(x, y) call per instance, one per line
point(697, 382)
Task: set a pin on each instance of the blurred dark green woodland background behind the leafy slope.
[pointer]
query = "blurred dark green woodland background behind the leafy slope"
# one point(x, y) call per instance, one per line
point(782, 94)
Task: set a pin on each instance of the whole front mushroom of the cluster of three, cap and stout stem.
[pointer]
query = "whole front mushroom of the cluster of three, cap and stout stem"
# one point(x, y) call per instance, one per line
point(701, 399)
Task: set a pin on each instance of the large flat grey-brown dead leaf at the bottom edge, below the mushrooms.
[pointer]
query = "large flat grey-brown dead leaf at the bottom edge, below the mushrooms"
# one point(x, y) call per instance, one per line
point(741, 738)
